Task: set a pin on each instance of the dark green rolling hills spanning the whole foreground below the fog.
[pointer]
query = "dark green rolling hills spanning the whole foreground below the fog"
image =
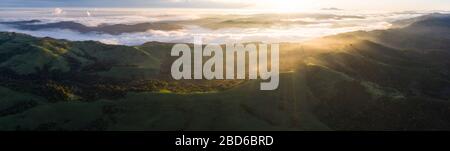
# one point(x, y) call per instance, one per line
point(395, 79)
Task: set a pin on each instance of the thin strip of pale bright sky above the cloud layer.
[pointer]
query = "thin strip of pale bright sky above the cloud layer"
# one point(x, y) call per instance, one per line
point(287, 5)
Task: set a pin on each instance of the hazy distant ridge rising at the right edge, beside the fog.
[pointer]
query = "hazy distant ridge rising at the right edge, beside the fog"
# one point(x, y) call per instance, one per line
point(424, 33)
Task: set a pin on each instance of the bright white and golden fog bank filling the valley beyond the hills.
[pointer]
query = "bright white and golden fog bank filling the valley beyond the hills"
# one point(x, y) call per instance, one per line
point(213, 26)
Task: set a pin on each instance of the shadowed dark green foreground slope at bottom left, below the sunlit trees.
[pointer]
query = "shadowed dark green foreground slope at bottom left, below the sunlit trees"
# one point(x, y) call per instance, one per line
point(254, 110)
